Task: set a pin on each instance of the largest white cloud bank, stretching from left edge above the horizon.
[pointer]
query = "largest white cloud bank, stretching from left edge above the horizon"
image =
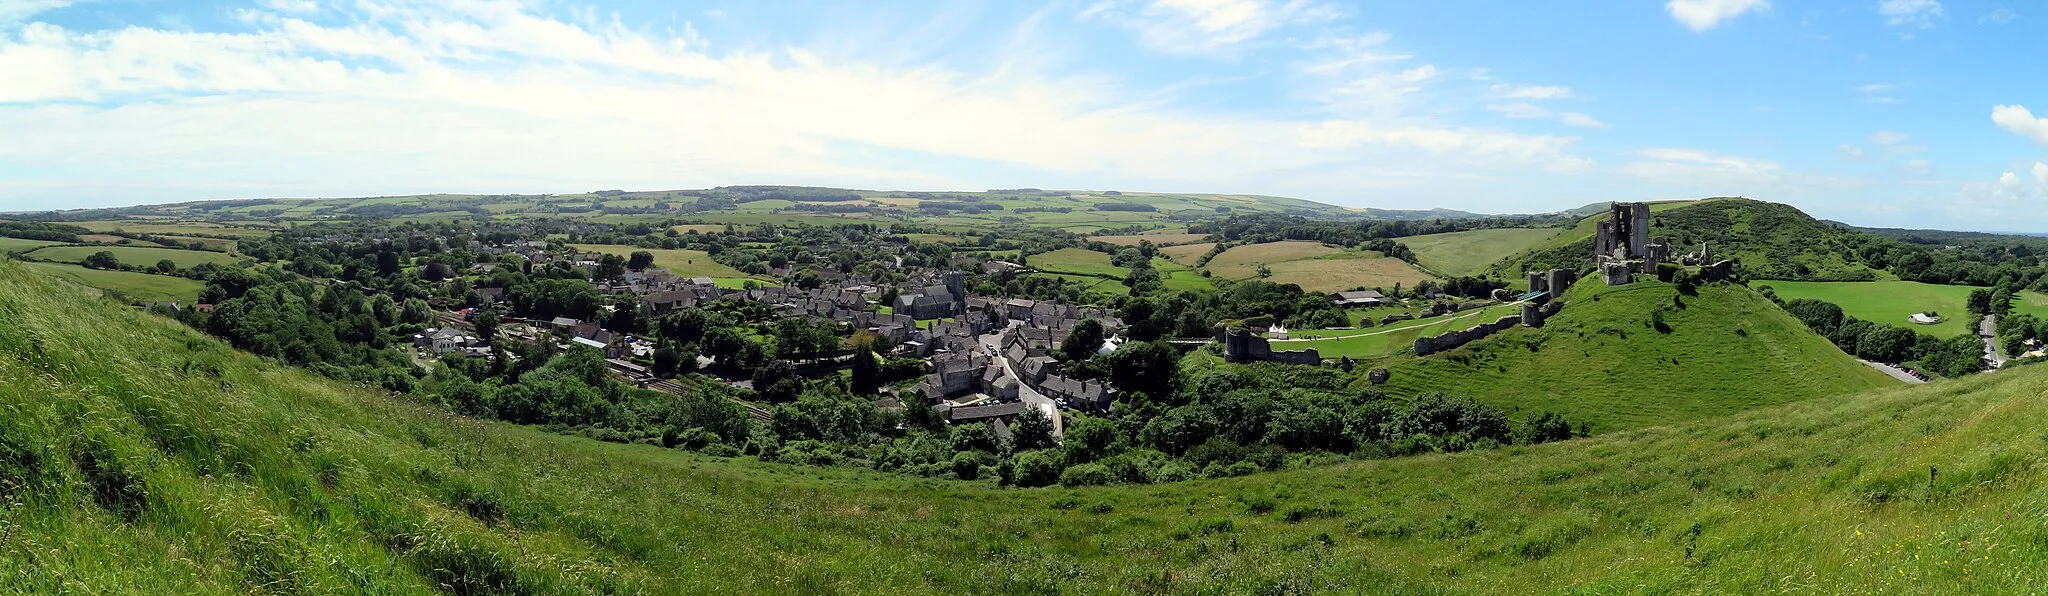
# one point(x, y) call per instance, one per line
point(497, 99)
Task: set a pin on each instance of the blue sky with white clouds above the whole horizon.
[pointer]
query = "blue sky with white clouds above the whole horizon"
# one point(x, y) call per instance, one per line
point(1902, 114)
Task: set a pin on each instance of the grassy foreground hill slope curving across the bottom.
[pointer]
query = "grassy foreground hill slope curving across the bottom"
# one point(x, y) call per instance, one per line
point(142, 458)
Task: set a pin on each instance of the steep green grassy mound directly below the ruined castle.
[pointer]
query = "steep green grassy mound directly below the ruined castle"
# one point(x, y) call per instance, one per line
point(1605, 361)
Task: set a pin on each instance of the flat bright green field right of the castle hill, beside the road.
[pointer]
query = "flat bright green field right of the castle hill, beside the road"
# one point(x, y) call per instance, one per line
point(1893, 302)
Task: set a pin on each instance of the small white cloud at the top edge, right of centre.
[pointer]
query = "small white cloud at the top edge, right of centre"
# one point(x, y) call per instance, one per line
point(1213, 28)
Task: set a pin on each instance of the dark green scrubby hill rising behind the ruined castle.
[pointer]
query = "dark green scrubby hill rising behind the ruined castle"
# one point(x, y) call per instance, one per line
point(1770, 241)
